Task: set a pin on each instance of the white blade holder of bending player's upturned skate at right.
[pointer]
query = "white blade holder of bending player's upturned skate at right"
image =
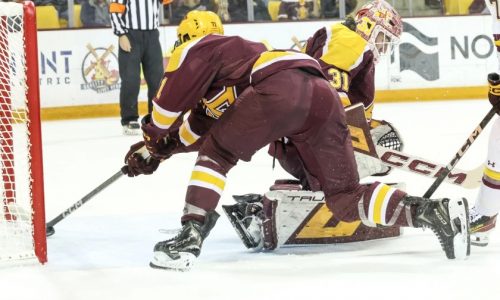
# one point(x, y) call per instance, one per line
point(459, 214)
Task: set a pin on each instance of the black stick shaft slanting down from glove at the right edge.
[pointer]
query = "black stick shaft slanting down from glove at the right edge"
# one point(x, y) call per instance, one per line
point(460, 153)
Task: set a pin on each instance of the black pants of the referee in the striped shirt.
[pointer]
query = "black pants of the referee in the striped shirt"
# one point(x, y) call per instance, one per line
point(146, 51)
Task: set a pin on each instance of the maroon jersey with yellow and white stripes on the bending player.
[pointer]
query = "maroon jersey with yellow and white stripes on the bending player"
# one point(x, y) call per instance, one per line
point(206, 75)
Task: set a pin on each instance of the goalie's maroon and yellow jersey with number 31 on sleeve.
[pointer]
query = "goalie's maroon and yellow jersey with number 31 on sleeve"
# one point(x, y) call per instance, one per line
point(347, 62)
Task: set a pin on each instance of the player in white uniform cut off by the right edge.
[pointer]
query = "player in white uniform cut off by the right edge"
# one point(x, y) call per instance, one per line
point(484, 213)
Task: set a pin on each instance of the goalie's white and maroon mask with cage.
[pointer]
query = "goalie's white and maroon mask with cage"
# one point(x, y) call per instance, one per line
point(380, 25)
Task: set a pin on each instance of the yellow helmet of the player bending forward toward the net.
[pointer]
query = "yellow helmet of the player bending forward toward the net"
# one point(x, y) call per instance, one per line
point(197, 24)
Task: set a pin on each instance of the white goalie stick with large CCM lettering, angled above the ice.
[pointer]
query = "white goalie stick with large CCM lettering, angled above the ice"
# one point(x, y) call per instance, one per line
point(469, 179)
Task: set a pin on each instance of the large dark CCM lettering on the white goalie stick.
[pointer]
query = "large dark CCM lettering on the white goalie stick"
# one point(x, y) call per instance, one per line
point(419, 166)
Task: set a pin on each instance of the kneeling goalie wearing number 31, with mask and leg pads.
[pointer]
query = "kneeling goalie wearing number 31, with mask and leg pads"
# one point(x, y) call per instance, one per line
point(347, 53)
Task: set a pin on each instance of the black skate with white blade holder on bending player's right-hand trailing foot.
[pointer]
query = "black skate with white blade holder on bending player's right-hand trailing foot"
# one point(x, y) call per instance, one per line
point(448, 219)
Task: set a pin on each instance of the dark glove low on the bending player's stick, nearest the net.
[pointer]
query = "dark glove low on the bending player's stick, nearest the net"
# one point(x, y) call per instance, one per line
point(138, 161)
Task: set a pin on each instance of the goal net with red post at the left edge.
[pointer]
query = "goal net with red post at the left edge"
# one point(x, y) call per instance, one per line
point(22, 219)
